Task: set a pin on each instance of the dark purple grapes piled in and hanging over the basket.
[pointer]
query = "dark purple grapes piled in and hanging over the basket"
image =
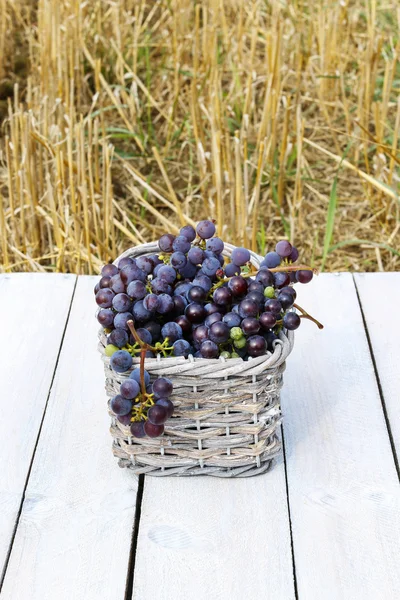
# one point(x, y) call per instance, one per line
point(187, 300)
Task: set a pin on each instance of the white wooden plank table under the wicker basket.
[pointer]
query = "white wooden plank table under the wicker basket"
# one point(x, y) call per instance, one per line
point(323, 524)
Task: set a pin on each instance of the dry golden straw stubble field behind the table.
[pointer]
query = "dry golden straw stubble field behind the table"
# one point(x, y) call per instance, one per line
point(121, 119)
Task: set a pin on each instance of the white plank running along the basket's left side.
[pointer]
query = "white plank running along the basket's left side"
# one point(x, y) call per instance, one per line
point(75, 531)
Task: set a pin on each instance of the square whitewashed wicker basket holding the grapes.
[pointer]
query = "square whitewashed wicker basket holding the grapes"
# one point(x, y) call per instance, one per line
point(226, 416)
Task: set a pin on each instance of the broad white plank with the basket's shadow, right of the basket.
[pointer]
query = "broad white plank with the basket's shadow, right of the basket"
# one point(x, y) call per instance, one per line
point(343, 487)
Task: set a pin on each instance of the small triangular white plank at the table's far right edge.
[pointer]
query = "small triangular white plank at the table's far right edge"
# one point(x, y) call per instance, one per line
point(379, 296)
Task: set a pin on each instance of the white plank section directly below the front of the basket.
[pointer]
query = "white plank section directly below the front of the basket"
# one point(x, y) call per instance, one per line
point(212, 538)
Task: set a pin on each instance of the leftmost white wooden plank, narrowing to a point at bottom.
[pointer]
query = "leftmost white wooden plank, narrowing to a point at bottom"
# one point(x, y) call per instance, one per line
point(33, 312)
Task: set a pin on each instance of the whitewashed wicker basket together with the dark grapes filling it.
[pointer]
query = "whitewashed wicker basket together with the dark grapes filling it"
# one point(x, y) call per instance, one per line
point(192, 392)
